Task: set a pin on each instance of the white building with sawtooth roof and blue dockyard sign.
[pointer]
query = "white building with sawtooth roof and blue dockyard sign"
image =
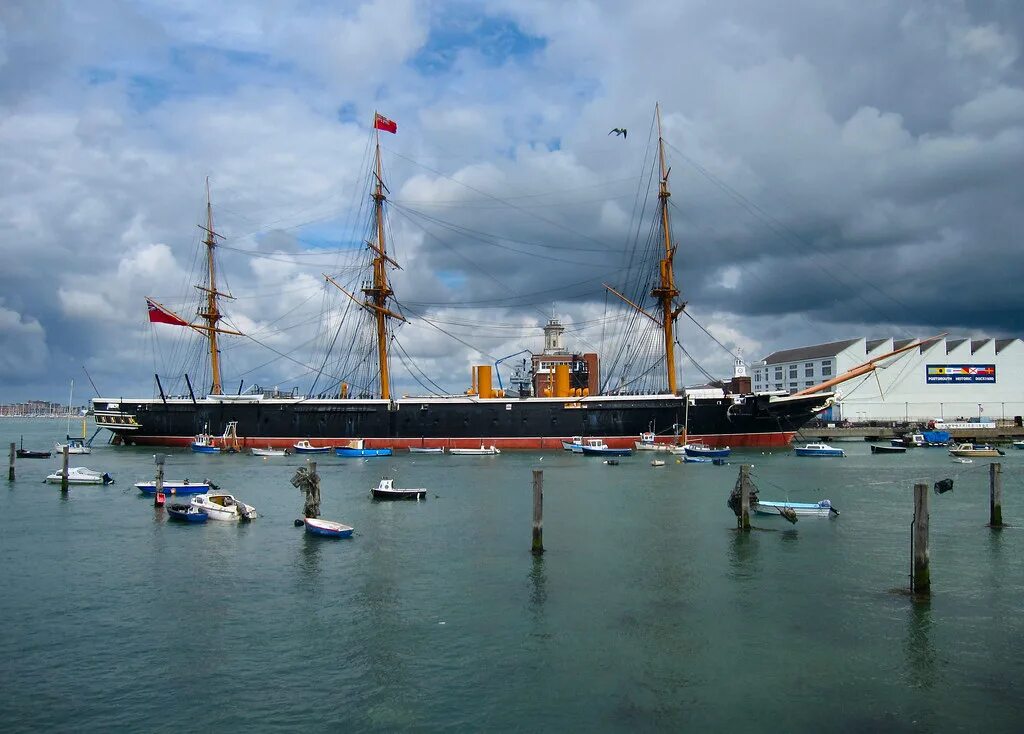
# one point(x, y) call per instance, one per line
point(941, 379)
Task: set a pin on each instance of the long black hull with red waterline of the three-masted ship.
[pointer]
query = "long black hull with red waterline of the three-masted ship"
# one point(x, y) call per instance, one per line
point(460, 422)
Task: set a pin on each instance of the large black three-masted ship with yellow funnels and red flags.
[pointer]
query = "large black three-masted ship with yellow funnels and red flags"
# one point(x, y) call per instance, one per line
point(731, 415)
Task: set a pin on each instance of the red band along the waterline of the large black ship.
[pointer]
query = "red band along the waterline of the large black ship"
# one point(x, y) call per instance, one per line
point(735, 441)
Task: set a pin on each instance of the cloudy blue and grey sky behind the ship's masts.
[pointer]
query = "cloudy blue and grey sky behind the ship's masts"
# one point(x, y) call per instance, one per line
point(838, 169)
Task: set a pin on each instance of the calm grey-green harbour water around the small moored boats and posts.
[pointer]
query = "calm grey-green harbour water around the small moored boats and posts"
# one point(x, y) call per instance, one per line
point(649, 611)
